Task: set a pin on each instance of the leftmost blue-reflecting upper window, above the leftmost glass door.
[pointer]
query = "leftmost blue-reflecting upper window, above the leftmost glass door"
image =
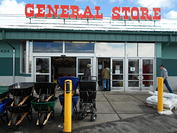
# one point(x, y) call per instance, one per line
point(48, 47)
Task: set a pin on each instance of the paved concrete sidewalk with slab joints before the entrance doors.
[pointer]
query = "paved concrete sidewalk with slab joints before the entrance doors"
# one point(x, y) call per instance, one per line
point(114, 106)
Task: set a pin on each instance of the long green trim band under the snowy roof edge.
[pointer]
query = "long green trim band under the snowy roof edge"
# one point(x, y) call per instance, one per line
point(88, 35)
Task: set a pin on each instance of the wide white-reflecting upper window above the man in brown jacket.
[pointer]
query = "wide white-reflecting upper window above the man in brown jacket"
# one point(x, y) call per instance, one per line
point(110, 49)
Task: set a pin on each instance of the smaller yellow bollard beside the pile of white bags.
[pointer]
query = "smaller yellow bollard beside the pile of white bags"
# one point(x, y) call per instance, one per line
point(160, 94)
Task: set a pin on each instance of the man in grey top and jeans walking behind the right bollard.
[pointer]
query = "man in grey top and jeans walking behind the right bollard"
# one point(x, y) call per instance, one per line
point(164, 74)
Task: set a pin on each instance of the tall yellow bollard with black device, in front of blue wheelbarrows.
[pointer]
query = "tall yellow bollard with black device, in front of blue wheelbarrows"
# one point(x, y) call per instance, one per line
point(68, 106)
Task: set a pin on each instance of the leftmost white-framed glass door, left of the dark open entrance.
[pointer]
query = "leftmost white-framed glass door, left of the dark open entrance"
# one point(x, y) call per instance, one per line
point(42, 69)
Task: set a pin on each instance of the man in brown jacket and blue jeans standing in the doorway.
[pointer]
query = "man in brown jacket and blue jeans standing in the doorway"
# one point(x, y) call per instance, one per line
point(106, 79)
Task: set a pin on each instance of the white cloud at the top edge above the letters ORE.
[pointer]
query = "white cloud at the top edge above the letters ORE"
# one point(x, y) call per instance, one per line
point(157, 3)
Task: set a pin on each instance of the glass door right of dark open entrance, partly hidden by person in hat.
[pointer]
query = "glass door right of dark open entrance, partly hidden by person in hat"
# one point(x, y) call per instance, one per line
point(82, 65)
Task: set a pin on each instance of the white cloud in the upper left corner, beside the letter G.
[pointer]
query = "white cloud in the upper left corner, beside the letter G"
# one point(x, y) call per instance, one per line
point(12, 7)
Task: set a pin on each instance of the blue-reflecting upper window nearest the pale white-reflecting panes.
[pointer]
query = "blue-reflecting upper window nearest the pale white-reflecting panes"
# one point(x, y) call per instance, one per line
point(79, 47)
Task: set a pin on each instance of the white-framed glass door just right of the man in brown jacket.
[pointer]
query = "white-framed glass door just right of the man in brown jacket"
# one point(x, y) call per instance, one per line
point(117, 74)
